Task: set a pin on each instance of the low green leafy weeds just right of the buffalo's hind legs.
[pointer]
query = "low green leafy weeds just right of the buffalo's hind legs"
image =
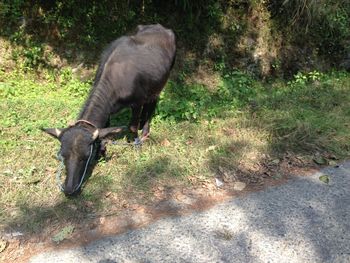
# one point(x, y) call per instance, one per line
point(193, 102)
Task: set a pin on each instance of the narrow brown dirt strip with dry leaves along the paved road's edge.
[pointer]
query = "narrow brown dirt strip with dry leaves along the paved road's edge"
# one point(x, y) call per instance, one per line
point(167, 203)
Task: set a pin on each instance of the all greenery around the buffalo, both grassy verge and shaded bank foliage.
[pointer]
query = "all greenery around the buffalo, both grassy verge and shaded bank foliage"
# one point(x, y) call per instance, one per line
point(259, 87)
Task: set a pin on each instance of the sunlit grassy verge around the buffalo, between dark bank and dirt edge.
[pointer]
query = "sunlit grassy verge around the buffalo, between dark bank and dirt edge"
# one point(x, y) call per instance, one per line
point(237, 129)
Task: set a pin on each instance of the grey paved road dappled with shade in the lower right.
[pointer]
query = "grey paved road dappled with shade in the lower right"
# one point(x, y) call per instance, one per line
point(304, 220)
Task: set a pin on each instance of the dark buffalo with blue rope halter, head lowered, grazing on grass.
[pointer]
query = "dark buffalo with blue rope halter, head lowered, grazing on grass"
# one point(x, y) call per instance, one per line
point(132, 73)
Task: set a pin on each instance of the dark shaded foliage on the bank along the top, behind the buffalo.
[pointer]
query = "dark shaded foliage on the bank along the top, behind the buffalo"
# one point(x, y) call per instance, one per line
point(74, 25)
